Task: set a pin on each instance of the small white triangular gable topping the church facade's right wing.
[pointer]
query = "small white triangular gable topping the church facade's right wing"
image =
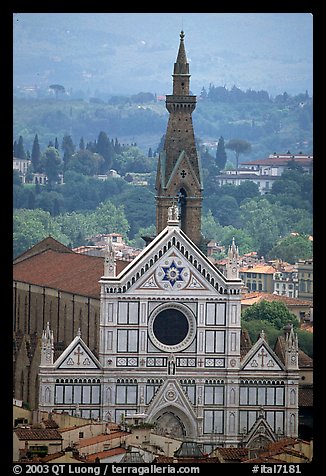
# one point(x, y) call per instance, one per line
point(262, 358)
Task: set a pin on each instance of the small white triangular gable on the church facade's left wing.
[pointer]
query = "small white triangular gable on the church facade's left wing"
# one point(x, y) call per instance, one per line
point(77, 356)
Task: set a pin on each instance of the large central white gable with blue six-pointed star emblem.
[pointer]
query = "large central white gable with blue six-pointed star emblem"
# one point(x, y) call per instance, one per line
point(171, 263)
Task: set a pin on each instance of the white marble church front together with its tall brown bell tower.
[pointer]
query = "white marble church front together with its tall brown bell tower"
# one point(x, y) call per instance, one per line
point(170, 335)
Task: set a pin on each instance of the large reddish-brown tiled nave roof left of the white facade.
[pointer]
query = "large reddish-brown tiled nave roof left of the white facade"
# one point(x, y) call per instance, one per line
point(70, 272)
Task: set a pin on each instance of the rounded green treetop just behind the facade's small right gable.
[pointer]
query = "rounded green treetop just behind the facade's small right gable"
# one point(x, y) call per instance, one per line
point(275, 313)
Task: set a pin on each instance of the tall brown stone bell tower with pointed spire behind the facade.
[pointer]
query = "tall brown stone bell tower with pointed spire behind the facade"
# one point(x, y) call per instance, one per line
point(179, 177)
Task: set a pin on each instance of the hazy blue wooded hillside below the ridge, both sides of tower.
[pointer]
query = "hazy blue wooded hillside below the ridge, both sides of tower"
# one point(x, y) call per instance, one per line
point(270, 124)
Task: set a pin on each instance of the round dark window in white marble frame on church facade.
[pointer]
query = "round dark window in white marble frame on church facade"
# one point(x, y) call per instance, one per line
point(172, 327)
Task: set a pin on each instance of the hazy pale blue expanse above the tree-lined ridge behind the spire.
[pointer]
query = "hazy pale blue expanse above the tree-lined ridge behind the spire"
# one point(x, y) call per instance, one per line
point(132, 52)
